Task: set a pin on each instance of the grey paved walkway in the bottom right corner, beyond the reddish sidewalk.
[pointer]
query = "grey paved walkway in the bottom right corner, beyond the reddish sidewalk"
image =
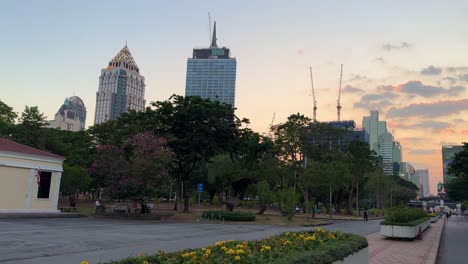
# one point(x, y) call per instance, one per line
point(453, 246)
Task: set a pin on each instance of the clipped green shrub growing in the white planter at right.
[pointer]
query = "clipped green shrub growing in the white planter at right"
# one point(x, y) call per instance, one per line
point(404, 216)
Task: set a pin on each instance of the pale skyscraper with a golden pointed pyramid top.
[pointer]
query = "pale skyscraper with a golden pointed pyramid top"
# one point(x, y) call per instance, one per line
point(121, 88)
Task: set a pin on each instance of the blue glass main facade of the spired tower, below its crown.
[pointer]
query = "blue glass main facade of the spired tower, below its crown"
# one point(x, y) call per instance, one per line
point(213, 79)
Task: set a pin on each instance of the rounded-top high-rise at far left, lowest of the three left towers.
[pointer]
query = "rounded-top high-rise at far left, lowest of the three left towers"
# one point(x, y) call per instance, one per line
point(71, 116)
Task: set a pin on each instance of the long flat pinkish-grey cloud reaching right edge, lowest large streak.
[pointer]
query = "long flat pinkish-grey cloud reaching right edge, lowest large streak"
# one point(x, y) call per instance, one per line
point(430, 110)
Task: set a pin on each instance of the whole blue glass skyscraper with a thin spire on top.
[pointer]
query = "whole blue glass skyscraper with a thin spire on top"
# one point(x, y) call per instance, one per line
point(211, 73)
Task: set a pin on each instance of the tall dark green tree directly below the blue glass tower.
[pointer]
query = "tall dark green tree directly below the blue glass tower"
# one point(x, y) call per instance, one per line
point(198, 129)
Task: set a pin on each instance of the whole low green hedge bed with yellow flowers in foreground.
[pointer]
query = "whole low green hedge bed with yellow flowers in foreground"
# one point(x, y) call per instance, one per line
point(317, 246)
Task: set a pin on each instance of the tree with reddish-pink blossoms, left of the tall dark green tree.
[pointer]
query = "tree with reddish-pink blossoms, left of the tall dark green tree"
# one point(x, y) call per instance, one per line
point(136, 170)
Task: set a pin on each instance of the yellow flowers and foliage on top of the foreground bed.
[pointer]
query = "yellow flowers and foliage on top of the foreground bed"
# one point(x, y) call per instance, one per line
point(262, 251)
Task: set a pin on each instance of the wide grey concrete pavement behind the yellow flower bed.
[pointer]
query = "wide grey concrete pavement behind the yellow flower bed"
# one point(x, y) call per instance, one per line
point(40, 241)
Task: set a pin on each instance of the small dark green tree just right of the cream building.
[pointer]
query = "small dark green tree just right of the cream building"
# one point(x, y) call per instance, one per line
point(74, 180)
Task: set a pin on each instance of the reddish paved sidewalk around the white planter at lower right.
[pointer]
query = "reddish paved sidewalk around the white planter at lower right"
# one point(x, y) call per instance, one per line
point(388, 251)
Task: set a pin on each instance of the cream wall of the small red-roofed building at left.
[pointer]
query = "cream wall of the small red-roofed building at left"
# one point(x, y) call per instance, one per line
point(18, 185)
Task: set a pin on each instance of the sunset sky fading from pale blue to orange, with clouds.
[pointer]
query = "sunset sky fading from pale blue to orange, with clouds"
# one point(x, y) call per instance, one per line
point(406, 59)
